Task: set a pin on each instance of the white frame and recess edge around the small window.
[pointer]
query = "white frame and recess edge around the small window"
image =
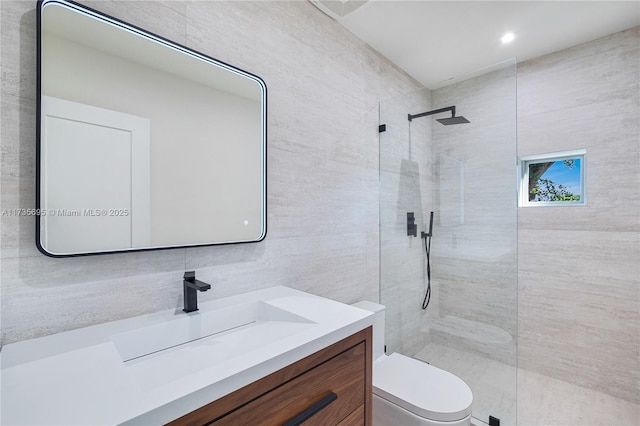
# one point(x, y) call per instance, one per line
point(523, 177)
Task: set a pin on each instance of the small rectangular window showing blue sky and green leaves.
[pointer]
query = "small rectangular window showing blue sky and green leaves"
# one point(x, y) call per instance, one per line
point(555, 179)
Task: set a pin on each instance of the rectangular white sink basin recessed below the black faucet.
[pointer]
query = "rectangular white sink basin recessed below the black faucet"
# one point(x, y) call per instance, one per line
point(204, 328)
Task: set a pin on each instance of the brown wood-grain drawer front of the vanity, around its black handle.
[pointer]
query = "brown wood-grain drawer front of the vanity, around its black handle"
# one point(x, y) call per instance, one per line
point(343, 375)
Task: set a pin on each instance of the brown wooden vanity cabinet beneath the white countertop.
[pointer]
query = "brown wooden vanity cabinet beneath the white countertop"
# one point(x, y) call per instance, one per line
point(330, 387)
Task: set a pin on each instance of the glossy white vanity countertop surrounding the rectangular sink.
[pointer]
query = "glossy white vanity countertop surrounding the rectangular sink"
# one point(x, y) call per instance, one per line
point(79, 377)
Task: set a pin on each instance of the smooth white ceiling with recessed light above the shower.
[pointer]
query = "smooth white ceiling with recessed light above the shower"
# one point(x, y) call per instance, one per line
point(440, 41)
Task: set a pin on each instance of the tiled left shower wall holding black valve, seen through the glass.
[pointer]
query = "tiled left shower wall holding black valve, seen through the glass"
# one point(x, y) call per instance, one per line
point(405, 187)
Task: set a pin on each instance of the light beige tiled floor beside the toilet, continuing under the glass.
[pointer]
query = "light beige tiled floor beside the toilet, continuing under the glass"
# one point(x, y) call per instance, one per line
point(541, 400)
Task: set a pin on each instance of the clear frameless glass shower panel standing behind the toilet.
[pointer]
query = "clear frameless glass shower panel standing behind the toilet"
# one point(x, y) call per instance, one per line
point(465, 174)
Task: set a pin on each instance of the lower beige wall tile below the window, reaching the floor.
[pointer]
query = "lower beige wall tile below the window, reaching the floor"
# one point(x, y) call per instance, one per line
point(578, 310)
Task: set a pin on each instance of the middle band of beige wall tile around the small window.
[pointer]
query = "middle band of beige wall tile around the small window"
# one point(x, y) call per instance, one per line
point(610, 135)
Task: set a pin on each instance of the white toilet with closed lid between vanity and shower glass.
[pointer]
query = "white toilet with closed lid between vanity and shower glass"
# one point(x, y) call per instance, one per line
point(409, 392)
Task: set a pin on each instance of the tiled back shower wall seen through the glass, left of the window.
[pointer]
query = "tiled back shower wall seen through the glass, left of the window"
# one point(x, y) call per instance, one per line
point(475, 236)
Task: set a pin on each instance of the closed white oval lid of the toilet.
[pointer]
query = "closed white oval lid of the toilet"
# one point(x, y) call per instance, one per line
point(422, 389)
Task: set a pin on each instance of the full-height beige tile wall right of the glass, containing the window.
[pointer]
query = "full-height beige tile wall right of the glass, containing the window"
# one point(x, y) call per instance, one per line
point(579, 267)
